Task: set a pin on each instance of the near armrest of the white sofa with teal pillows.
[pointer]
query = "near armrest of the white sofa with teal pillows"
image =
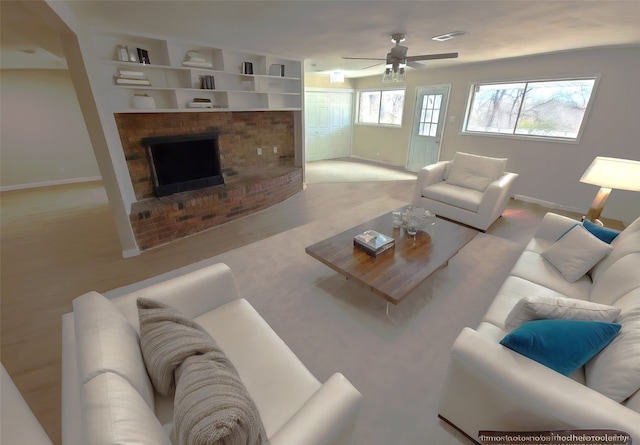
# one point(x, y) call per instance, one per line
point(490, 387)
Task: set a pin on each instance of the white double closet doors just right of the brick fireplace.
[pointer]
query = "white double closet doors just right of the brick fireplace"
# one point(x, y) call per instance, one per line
point(328, 125)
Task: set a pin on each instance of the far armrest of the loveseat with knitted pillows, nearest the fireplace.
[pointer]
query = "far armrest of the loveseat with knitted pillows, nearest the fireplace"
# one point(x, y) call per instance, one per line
point(193, 293)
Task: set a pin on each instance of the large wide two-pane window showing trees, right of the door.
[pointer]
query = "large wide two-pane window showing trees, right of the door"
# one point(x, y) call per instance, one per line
point(553, 109)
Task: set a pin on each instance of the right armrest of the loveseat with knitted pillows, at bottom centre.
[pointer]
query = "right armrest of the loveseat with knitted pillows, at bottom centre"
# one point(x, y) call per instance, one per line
point(328, 417)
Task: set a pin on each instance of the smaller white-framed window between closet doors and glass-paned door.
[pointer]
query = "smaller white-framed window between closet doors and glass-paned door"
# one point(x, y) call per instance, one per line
point(380, 107)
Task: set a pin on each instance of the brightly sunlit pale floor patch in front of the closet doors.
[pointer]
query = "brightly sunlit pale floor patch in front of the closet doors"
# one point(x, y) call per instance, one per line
point(354, 170)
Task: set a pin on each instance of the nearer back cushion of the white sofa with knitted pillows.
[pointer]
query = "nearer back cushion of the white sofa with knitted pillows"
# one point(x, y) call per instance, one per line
point(115, 413)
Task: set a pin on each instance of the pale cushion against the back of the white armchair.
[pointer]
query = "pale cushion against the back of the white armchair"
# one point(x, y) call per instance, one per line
point(475, 172)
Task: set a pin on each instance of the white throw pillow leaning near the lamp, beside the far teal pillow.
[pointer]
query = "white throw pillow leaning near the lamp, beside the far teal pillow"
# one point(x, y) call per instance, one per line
point(576, 252)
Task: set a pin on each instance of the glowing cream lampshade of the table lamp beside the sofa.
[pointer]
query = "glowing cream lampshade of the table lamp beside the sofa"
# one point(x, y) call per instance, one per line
point(613, 173)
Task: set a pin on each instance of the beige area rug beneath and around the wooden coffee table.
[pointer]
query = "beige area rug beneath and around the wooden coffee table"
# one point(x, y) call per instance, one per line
point(398, 362)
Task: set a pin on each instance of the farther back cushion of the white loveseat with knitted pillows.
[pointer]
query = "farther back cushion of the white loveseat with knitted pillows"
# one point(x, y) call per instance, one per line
point(107, 342)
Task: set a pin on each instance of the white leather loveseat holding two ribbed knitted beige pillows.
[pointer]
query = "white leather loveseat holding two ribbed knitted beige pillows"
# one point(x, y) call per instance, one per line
point(108, 397)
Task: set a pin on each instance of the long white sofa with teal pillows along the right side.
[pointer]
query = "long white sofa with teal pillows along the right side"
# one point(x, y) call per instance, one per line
point(490, 387)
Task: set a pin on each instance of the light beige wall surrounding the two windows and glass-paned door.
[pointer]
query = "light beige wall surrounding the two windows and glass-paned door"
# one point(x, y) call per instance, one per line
point(549, 171)
